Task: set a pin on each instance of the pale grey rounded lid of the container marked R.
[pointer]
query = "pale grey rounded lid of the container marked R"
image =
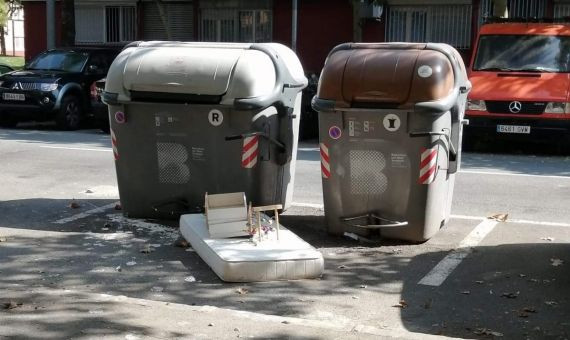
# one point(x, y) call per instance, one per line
point(225, 71)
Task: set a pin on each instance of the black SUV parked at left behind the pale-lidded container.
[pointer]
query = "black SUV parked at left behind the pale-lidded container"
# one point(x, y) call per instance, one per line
point(56, 85)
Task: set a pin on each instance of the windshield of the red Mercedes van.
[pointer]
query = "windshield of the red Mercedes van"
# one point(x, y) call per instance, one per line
point(528, 53)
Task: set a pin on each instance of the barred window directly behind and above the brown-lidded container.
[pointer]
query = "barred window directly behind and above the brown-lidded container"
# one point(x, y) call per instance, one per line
point(449, 24)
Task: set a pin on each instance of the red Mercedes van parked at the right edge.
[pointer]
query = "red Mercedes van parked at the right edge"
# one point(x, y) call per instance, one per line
point(520, 74)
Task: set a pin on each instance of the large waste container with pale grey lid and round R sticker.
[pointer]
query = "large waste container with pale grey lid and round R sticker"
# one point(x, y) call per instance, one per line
point(191, 118)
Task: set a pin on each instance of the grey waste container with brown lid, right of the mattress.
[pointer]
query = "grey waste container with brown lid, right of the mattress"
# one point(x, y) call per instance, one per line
point(390, 127)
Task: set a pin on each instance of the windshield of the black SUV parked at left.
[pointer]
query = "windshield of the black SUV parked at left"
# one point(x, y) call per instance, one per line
point(67, 61)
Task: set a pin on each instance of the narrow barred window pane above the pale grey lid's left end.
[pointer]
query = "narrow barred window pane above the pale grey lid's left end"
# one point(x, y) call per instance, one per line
point(120, 23)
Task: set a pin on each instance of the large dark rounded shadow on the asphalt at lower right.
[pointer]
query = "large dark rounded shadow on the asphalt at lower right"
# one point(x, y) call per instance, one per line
point(510, 289)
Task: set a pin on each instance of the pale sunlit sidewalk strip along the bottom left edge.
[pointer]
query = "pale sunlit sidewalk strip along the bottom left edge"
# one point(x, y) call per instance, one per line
point(64, 314)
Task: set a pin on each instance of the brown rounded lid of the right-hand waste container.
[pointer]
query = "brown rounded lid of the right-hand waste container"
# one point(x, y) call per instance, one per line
point(387, 74)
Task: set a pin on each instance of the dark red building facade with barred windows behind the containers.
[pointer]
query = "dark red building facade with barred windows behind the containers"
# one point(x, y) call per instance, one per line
point(321, 24)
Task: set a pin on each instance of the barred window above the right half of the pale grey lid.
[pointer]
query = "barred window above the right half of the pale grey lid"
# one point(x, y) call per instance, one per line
point(236, 25)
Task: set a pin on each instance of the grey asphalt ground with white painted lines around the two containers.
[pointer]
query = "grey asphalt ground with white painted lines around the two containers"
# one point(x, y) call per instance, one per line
point(481, 278)
